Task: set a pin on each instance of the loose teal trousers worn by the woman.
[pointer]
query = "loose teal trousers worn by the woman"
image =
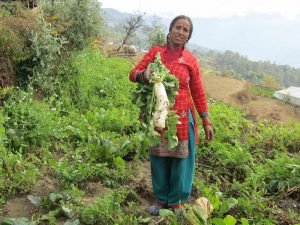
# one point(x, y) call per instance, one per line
point(172, 177)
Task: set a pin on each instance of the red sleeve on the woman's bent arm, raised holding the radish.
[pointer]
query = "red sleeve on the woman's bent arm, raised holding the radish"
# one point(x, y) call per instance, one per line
point(142, 65)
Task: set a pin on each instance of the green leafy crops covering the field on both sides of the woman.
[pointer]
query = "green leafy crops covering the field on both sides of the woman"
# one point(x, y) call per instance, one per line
point(91, 123)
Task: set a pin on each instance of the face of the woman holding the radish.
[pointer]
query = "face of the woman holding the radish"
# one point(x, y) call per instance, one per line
point(180, 33)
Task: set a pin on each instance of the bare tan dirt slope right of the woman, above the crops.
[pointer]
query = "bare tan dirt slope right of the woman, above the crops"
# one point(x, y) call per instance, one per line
point(237, 92)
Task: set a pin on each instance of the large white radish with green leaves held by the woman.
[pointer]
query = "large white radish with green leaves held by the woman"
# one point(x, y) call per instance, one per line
point(155, 100)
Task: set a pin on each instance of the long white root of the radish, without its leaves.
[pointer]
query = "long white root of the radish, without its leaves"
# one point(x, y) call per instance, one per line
point(162, 105)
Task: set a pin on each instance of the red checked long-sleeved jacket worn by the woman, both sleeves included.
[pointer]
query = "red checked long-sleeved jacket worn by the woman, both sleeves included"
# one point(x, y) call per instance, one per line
point(185, 67)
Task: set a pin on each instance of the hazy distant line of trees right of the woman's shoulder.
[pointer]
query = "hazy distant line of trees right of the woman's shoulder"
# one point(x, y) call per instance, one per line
point(233, 64)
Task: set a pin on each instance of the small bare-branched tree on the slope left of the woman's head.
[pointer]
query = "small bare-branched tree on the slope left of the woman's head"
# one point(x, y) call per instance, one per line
point(134, 22)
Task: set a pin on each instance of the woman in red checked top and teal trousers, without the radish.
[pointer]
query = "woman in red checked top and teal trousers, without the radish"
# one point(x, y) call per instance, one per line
point(172, 171)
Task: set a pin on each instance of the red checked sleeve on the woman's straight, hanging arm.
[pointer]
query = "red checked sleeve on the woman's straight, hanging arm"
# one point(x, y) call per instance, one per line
point(197, 89)
